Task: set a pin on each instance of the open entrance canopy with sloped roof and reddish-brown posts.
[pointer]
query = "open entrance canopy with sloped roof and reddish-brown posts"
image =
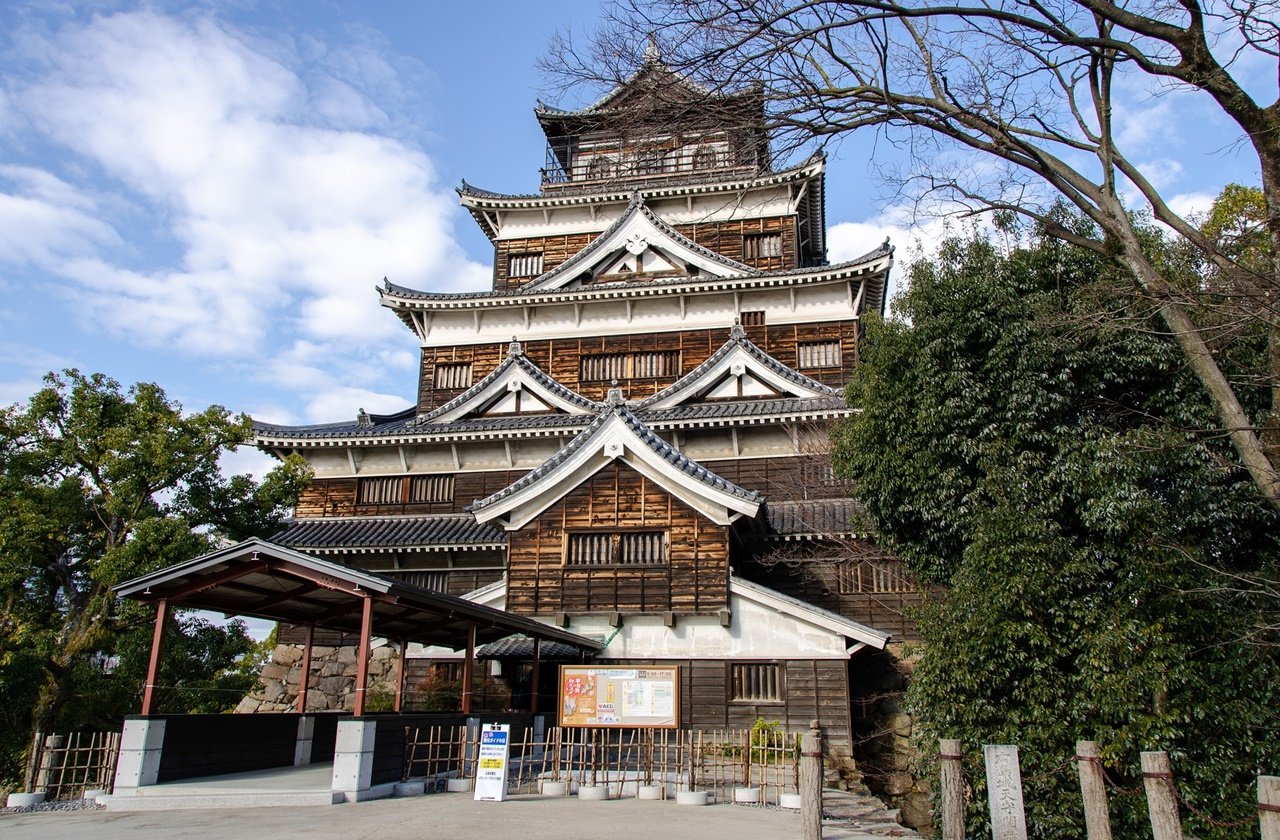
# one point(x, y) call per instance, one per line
point(264, 581)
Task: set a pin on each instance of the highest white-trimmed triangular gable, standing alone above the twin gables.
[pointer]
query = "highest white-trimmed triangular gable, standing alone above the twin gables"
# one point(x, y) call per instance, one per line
point(638, 231)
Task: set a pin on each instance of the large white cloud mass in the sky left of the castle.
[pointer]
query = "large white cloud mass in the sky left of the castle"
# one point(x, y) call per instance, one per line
point(268, 176)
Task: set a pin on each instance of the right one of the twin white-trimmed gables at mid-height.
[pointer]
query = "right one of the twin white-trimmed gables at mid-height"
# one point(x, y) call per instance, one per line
point(738, 369)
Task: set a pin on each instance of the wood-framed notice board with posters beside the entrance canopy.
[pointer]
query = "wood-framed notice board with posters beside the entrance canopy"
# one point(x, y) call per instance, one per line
point(623, 692)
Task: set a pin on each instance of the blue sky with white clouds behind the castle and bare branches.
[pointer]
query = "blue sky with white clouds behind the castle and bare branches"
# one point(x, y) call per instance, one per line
point(205, 195)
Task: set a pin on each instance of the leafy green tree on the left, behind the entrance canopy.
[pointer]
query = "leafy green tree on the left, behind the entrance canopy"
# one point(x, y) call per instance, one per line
point(97, 487)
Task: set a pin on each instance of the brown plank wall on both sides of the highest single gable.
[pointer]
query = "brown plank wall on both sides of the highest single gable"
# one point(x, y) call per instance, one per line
point(723, 238)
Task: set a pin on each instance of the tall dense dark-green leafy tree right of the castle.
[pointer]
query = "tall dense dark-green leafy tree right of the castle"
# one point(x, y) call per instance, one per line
point(1031, 441)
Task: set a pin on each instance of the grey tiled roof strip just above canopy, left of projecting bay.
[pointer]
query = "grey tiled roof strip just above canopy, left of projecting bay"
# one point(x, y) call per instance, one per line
point(458, 531)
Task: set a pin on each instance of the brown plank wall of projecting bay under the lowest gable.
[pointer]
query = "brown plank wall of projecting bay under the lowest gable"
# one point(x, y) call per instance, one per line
point(694, 579)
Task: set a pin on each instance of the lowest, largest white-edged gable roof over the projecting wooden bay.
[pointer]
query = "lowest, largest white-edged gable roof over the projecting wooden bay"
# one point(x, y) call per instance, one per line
point(618, 435)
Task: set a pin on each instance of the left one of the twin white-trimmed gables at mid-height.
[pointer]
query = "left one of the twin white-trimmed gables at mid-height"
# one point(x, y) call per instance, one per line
point(495, 395)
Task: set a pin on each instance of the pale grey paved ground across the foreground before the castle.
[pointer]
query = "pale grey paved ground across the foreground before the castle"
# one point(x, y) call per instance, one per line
point(450, 818)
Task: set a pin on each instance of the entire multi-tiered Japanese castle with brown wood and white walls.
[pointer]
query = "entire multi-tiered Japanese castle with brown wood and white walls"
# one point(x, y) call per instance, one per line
point(628, 435)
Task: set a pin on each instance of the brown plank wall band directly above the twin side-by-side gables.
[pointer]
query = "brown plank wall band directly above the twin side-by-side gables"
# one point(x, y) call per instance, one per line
point(561, 358)
